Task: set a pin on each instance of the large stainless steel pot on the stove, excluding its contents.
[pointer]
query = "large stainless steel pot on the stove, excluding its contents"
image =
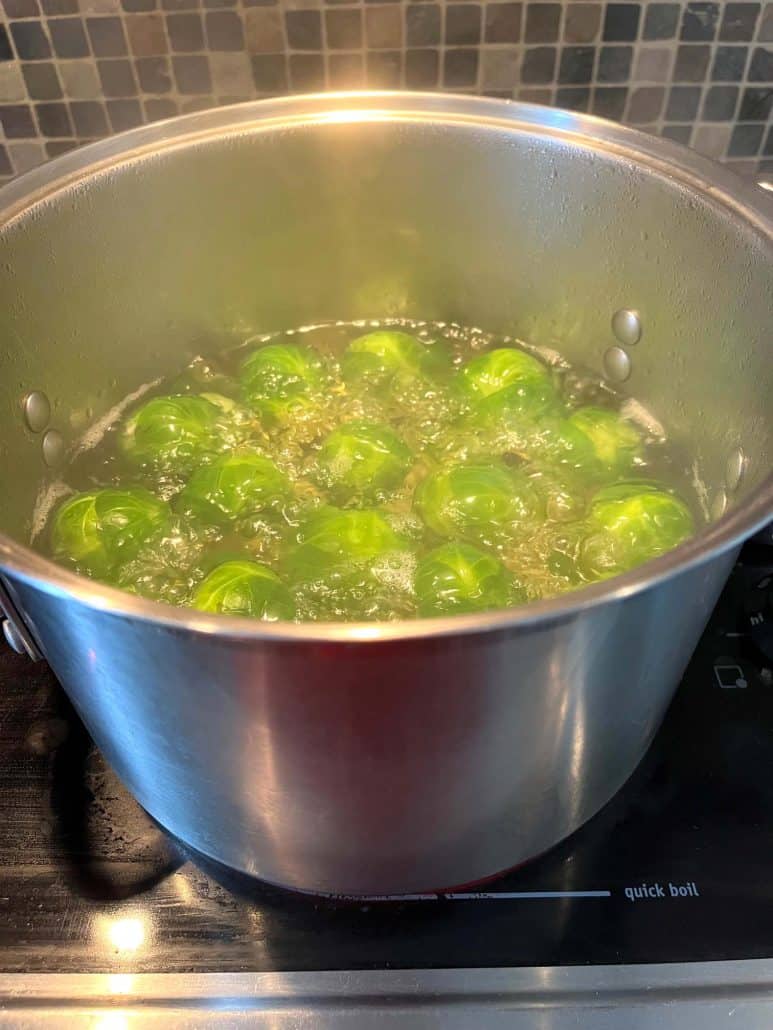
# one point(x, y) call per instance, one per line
point(408, 757)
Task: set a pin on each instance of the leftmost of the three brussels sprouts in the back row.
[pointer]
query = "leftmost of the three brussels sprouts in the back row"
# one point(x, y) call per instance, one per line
point(281, 371)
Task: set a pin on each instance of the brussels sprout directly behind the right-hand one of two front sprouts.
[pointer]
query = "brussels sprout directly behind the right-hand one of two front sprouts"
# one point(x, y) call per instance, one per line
point(477, 500)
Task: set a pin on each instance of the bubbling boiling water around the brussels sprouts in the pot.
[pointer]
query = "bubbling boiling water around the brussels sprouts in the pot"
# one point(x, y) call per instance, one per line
point(540, 554)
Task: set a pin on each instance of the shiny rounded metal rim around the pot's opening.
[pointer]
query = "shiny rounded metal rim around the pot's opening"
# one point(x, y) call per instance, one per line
point(715, 183)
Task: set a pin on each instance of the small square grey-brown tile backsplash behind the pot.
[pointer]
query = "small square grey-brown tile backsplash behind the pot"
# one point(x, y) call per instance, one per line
point(73, 72)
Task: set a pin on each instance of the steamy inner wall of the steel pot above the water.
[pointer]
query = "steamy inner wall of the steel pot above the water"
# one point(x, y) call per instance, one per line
point(117, 281)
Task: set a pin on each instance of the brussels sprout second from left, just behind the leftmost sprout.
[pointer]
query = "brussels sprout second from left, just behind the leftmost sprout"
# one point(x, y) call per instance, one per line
point(173, 434)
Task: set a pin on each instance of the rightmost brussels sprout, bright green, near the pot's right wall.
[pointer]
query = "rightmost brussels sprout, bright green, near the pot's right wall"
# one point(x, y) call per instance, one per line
point(629, 524)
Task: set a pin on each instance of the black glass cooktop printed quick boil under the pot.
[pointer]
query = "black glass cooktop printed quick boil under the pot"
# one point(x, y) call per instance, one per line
point(678, 868)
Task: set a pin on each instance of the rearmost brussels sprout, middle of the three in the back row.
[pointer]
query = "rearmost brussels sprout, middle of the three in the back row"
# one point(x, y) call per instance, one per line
point(391, 357)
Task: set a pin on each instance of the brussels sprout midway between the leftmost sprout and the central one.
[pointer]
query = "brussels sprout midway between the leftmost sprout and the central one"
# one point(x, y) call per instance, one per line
point(233, 487)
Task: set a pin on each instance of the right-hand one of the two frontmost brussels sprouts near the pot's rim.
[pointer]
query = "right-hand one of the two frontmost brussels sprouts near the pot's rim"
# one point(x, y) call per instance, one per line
point(458, 578)
